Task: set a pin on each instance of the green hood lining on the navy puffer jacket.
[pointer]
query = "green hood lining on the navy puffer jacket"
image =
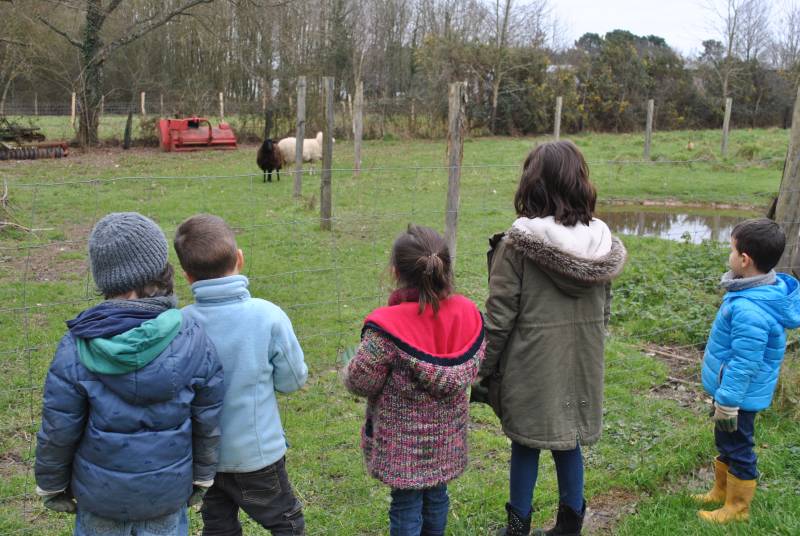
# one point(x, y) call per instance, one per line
point(133, 349)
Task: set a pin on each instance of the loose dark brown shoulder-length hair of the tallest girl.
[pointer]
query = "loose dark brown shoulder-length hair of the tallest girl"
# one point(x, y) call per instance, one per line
point(555, 182)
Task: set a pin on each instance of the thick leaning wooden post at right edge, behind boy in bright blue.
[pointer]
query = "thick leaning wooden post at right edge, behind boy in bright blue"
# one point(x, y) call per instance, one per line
point(787, 209)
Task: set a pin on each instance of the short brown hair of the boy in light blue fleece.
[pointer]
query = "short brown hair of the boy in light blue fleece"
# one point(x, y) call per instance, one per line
point(206, 247)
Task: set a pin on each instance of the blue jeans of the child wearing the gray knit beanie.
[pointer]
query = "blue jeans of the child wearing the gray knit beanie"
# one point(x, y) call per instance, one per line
point(89, 524)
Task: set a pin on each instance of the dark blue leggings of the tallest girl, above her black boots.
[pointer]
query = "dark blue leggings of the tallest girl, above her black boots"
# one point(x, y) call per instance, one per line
point(525, 470)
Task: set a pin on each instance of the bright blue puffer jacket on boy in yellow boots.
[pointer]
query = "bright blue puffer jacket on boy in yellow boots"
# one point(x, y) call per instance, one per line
point(747, 342)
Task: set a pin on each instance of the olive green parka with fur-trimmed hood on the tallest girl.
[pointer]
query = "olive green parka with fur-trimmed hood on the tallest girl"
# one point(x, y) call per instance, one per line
point(545, 328)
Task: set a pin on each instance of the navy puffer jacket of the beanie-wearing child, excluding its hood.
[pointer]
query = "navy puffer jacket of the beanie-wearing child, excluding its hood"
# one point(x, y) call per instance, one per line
point(130, 445)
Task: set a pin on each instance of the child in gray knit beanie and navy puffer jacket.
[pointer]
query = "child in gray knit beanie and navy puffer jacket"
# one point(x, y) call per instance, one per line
point(130, 421)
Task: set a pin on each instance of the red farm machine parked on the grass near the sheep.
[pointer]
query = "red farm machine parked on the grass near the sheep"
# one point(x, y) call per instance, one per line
point(194, 134)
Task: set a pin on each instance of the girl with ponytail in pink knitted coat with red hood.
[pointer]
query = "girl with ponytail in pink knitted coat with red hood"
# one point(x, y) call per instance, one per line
point(416, 359)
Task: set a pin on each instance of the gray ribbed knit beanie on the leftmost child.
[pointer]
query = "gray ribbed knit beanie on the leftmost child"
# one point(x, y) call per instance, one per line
point(127, 251)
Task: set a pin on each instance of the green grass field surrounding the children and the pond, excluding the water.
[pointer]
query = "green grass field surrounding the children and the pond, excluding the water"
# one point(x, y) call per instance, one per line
point(657, 443)
